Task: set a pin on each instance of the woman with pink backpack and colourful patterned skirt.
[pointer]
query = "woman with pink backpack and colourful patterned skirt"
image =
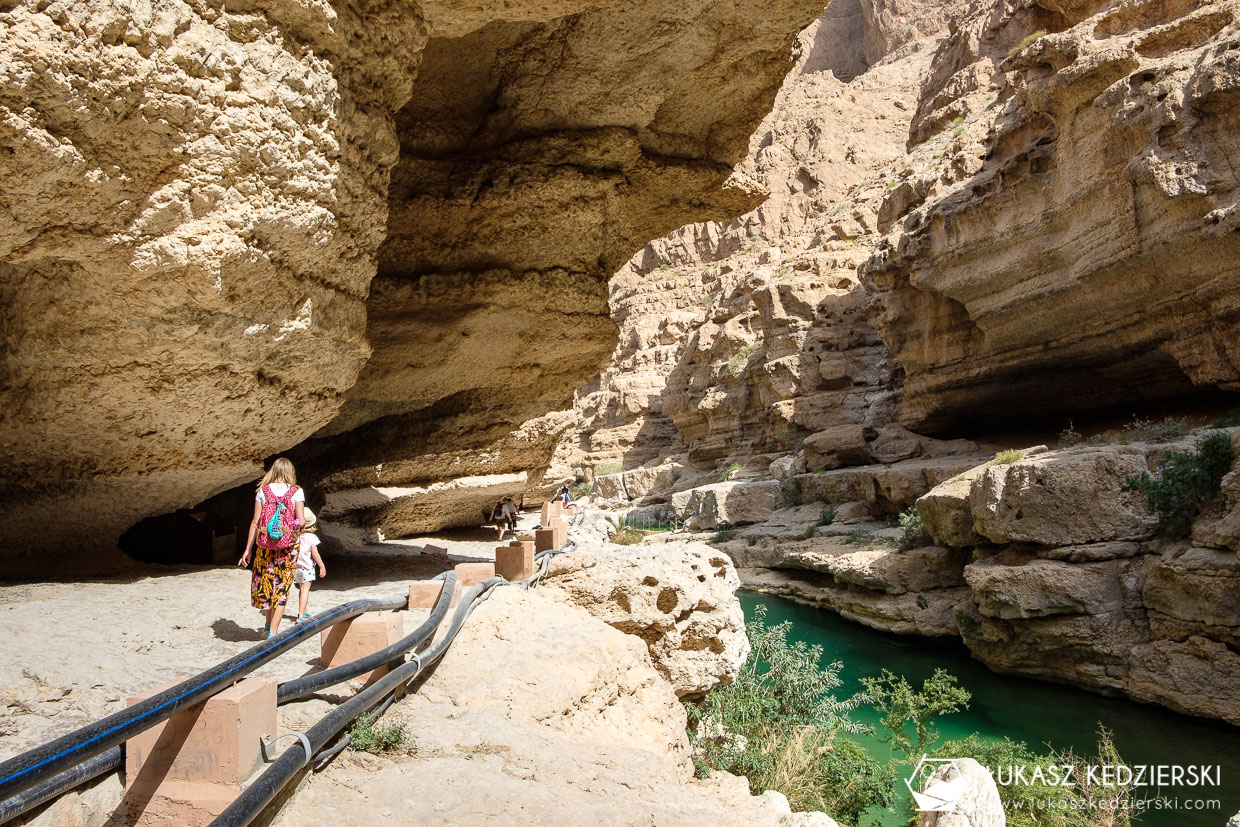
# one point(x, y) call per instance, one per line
point(280, 511)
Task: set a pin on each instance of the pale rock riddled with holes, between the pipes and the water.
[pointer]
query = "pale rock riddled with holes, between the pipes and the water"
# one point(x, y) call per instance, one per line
point(679, 598)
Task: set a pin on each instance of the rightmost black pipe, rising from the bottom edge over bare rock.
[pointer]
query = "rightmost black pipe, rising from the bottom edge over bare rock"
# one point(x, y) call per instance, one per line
point(263, 789)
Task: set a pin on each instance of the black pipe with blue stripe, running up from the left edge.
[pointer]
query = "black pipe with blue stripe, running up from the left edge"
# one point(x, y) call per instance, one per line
point(37, 766)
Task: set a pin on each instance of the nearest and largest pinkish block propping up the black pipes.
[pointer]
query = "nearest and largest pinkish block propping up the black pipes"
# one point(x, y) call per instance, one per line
point(189, 768)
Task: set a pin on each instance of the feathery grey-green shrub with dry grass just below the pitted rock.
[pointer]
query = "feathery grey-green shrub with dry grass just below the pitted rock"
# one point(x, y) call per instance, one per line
point(781, 726)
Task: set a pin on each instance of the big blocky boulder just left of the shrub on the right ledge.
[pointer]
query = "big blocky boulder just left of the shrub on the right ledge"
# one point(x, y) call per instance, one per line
point(1062, 499)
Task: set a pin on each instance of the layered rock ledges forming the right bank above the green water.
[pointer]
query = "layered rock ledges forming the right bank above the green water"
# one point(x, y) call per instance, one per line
point(1047, 567)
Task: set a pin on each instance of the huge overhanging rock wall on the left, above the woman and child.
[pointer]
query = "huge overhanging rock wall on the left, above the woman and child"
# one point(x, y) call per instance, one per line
point(198, 201)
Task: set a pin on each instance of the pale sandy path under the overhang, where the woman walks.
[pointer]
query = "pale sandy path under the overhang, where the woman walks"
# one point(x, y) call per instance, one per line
point(75, 652)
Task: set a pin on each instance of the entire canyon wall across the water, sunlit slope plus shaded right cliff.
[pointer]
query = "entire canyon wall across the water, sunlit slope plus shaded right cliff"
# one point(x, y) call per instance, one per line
point(1010, 214)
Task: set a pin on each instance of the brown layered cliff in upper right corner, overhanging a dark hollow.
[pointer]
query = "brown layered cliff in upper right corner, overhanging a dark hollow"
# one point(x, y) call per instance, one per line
point(1097, 192)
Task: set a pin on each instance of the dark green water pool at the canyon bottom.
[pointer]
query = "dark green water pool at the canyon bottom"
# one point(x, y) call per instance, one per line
point(1024, 710)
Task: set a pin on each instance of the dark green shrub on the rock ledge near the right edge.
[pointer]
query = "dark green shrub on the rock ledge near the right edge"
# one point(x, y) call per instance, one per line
point(1189, 482)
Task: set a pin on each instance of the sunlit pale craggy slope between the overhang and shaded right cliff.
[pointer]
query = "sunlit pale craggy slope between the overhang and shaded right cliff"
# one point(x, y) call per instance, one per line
point(743, 338)
